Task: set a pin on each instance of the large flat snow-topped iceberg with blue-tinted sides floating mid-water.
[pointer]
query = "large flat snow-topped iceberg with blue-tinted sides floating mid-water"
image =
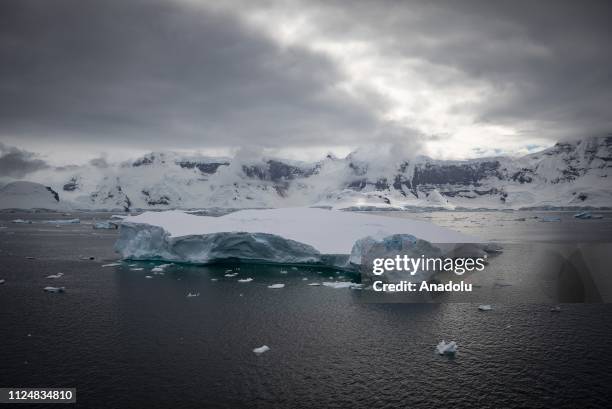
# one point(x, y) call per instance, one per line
point(290, 235)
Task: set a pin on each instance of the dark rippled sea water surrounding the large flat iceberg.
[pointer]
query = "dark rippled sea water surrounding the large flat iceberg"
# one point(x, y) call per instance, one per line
point(127, 341)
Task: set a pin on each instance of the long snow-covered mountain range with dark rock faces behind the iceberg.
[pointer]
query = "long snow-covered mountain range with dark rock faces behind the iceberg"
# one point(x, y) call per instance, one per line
point(568, 174)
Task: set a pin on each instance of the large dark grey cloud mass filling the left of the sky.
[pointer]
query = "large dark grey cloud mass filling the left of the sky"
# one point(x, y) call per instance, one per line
point(162, 74)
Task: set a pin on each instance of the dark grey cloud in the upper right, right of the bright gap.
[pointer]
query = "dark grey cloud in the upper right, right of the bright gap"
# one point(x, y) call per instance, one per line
point(548, 62)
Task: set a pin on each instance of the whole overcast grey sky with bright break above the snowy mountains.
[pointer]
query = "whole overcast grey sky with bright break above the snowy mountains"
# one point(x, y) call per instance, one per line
point(113, 79)
